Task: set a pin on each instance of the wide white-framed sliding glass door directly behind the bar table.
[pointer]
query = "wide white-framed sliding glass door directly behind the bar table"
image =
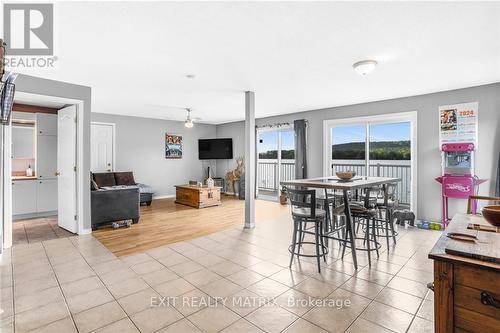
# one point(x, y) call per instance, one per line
point(375, 146)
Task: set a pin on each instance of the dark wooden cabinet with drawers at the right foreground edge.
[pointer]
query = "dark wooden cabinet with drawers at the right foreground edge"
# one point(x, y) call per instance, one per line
point(466, 289)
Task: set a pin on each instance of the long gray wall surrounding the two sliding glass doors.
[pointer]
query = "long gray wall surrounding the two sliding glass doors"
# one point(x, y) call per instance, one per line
point(429, 158)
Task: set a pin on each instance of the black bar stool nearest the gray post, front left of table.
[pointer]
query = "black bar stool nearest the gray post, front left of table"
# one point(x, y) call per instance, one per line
point(304, 211)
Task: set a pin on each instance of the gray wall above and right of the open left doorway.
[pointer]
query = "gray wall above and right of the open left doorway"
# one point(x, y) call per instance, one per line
point(36, 85)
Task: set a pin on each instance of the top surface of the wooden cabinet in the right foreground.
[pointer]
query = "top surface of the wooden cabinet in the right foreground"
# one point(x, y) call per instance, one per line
point(487, 244)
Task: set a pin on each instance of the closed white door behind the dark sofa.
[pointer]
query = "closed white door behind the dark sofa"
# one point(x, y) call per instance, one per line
point(102, 147)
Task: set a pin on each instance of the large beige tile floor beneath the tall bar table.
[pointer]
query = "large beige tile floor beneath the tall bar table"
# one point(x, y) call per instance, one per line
point(231, 281)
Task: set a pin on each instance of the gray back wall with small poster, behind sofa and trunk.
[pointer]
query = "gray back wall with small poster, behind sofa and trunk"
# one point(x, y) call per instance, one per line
point(140, 147)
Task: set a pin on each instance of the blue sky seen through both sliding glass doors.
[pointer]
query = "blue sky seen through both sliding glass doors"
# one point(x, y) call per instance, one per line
point(343, 134)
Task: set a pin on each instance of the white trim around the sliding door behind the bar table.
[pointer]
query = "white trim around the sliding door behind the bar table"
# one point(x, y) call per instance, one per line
point(411, 116)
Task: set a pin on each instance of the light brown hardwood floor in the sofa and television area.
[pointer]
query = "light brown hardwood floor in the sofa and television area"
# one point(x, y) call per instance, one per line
point(165, 222)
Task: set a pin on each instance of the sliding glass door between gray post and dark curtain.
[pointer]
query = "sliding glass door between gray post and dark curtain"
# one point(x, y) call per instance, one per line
point(275, 160)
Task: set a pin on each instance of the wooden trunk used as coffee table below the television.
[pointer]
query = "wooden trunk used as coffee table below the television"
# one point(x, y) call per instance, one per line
point(198, 197)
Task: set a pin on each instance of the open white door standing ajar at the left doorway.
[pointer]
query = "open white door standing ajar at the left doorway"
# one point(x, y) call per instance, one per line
point(66, 168)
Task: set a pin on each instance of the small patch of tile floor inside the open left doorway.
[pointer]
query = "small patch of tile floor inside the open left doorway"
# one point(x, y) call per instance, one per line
point(37, 230)
